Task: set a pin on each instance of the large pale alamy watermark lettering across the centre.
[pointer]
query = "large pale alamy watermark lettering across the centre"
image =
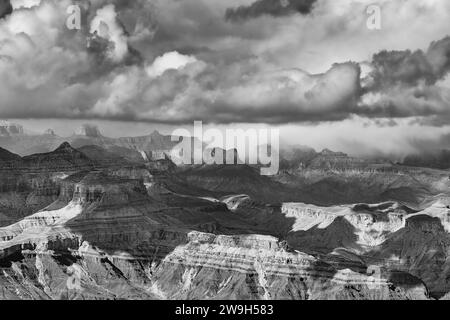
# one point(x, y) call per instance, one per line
point(233, 146)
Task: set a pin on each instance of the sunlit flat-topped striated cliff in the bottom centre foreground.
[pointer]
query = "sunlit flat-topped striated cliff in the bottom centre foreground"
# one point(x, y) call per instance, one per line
point(259, 267)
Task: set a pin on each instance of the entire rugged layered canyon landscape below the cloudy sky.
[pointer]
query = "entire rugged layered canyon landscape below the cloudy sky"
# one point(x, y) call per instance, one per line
point(98, 221)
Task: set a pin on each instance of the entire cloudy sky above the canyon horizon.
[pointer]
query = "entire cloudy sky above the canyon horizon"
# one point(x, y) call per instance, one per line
point(311, 68)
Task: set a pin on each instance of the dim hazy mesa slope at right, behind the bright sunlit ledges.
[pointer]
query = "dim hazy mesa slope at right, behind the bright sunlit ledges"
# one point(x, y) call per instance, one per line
point(335, 178)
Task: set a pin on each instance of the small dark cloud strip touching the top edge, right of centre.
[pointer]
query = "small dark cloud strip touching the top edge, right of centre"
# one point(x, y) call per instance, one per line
point(274, 8)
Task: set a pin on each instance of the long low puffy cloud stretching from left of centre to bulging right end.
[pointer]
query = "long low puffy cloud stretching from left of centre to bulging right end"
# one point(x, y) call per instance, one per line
point(248, 93)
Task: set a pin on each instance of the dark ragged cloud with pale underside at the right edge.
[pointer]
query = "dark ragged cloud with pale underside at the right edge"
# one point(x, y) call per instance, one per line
point(408, 84)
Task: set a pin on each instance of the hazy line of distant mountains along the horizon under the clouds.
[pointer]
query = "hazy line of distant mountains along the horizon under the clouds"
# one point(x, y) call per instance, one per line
point(156, 146)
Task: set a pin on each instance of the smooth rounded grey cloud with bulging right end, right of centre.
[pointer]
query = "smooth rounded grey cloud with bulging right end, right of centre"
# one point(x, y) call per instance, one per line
point(291, 96)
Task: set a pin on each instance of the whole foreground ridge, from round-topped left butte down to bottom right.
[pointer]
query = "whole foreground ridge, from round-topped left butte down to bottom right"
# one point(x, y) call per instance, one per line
point(111, 240)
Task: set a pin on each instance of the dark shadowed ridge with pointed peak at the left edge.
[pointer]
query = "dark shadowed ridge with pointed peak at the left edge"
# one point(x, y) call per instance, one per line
point(31, 183)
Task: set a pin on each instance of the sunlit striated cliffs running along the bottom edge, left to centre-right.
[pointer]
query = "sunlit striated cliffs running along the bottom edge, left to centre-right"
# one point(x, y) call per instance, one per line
point(178, 265)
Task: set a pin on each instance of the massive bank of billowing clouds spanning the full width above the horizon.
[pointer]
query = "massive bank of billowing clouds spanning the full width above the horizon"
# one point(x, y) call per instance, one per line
point(194, 68)
